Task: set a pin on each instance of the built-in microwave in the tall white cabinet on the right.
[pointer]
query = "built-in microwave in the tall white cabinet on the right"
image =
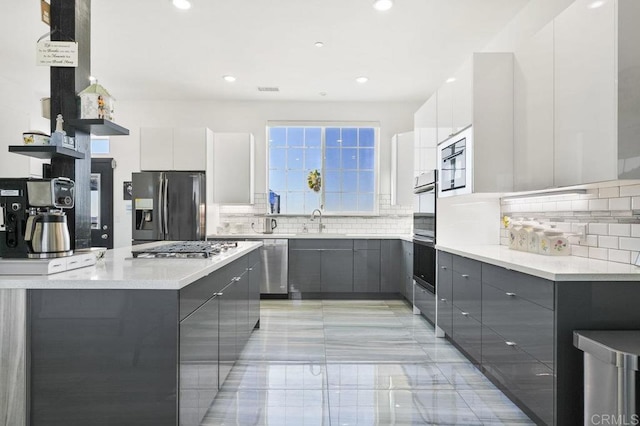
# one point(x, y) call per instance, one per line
point(455, 164)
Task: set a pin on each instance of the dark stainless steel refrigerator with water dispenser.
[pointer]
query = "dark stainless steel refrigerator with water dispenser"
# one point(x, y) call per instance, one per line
point(168, 206)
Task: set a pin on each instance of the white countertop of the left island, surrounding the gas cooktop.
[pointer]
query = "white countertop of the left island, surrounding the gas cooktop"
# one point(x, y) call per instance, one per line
point(119, 270)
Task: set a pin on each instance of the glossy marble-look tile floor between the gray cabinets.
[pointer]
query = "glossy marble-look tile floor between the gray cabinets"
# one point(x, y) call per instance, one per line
point(354, 362)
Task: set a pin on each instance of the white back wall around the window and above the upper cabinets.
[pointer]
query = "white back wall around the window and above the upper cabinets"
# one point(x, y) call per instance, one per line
point(241, 117)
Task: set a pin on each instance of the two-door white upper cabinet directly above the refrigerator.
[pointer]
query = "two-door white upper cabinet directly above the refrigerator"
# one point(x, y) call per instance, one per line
point(174, 148)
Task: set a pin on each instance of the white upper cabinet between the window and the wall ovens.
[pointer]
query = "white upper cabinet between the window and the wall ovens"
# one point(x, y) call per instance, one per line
point(402, 152)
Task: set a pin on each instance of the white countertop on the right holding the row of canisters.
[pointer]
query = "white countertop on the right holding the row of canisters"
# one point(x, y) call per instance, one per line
point(555, 268)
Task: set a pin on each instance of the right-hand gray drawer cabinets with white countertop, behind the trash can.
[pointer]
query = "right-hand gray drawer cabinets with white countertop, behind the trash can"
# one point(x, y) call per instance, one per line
point(513, 314)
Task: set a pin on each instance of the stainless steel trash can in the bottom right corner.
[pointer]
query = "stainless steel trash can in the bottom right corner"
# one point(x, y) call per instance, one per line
point(610, 368)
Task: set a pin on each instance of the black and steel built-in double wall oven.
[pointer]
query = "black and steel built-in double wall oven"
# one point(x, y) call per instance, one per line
point(424, 230)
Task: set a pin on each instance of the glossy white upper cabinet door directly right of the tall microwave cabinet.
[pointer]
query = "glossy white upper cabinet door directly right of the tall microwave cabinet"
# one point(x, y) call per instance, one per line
point(533, 113)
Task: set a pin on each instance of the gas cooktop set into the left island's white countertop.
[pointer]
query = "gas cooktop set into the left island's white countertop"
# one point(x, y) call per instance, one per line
point(185, 250)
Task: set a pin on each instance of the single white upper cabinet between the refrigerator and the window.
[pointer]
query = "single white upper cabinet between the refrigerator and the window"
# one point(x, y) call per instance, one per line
point(233, 165)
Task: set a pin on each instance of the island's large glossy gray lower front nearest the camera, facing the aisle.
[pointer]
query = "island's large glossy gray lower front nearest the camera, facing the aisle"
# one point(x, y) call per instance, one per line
point(198, 362)
